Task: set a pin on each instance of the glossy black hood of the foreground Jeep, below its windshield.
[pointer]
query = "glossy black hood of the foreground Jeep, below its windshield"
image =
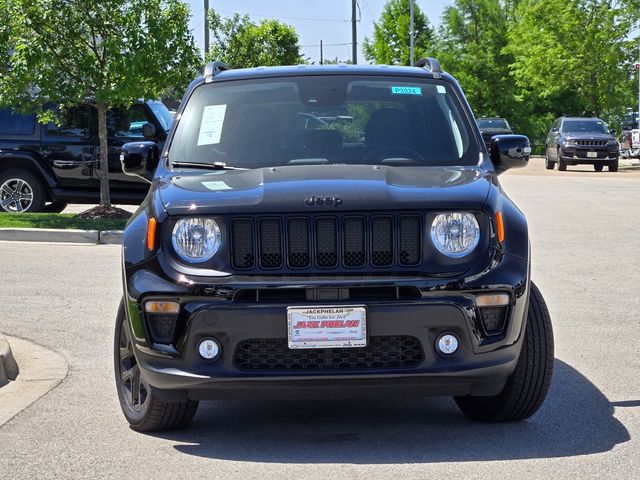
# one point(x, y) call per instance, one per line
point(350, 188)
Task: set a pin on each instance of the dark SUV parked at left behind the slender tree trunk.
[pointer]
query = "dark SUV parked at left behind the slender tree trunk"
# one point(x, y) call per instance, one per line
point(44, 167)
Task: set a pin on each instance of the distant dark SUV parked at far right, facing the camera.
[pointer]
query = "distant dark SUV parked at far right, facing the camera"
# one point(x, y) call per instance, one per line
point(578, 140)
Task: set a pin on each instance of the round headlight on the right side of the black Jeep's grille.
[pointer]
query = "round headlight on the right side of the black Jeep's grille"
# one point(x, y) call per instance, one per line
point(455, 234)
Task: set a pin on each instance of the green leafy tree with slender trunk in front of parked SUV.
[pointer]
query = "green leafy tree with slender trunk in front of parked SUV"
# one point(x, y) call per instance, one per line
point(111, 52)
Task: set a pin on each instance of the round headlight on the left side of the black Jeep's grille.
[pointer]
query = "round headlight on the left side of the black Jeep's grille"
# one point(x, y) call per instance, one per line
point(196, 239)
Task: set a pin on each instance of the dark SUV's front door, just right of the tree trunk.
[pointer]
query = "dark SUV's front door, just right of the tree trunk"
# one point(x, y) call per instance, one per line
point(125, 125)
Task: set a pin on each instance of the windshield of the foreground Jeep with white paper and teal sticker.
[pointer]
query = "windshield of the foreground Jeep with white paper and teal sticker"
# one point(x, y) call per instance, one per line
point(315, 120)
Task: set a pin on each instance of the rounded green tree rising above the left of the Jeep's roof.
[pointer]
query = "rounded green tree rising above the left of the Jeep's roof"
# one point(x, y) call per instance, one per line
point(242, 43)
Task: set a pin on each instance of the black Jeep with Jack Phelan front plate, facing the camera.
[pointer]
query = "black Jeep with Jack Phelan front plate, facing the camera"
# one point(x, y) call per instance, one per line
point(377, 256)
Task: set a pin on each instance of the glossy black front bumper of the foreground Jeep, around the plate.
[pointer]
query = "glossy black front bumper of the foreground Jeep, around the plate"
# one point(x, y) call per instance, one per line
point(480, 366)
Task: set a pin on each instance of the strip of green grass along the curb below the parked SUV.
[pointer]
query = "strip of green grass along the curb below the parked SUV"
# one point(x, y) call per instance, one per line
point(57, 220)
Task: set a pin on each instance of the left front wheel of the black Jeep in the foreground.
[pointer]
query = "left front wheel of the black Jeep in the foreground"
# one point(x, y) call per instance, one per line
point(143, 411)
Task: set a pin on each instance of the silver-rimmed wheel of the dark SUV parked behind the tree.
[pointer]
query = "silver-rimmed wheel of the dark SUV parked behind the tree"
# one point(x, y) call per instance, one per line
point(20, 192)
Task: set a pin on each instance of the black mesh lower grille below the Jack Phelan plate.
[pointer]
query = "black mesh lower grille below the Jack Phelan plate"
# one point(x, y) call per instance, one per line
point(401, 351)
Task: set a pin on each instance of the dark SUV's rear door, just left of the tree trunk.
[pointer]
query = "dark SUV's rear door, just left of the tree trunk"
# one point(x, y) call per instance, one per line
point(70, 147)
